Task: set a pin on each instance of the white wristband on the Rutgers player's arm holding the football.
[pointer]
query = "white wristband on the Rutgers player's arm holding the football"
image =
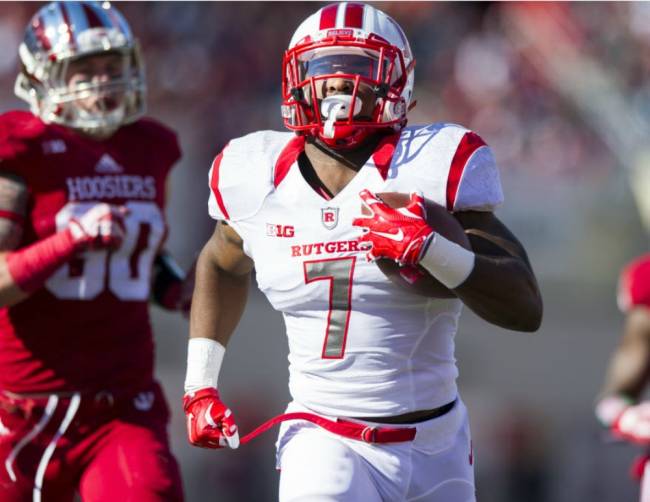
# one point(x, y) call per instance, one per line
point(447, 261)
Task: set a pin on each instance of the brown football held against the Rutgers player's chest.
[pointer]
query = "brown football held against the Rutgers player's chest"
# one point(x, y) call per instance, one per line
point(416, 279)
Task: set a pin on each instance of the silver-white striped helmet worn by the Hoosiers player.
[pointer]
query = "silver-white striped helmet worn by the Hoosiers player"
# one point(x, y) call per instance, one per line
point(62, 32)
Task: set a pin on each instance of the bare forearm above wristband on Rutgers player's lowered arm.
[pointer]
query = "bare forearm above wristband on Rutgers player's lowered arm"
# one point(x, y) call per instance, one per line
point(218, 301)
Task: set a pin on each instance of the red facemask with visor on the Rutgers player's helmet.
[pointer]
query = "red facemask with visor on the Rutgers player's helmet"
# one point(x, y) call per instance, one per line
point(343, 91)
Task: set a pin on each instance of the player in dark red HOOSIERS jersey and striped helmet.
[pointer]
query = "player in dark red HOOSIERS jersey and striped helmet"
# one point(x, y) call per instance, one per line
point(82, 198)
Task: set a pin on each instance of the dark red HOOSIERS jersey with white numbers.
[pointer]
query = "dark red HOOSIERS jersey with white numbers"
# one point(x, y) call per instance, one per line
point(88, 327)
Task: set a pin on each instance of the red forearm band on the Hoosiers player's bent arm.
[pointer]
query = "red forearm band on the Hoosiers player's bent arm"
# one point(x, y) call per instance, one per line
point(30, 267)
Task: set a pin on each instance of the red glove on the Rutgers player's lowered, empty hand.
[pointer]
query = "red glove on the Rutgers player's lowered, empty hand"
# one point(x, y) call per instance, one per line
point(210, 423)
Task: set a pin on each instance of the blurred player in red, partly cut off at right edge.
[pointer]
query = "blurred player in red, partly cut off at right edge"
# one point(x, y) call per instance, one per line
point(620, 407)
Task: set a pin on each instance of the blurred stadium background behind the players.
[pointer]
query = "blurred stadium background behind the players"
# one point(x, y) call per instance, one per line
point(561, 93)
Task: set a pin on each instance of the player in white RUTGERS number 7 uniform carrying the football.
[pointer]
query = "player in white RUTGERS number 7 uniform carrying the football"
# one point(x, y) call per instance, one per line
point(376, 410)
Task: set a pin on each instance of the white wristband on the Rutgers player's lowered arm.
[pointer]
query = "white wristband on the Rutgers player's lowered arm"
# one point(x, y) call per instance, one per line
point(204, 358)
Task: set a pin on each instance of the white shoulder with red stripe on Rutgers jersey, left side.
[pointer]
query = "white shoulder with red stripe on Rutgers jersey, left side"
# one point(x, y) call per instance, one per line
point(243, 174)
